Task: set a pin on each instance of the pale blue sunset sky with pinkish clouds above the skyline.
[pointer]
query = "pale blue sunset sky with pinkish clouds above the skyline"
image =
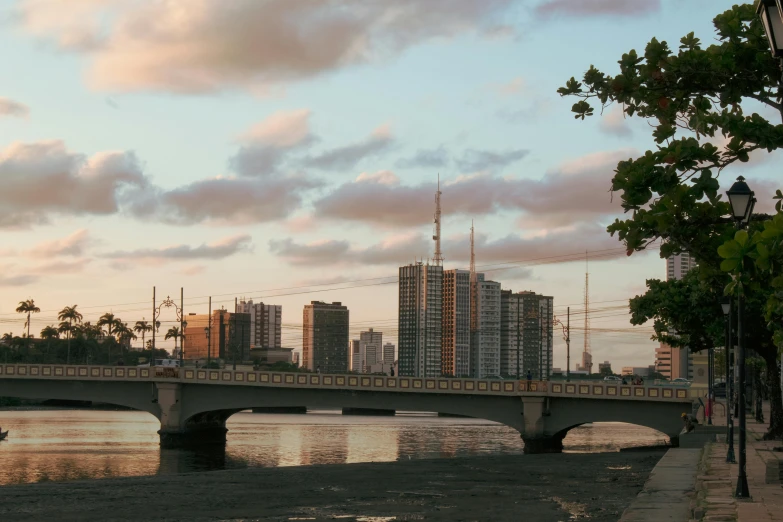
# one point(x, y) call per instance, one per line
point(289, 150)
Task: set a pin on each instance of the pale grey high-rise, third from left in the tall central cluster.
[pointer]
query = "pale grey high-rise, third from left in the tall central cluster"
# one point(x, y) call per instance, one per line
point(485, 331)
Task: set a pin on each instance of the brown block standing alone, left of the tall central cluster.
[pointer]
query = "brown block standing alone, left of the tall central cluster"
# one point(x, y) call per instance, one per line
point(325, 337)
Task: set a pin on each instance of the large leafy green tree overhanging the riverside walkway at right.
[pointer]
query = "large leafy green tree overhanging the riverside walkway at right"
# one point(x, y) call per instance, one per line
point(691, 98)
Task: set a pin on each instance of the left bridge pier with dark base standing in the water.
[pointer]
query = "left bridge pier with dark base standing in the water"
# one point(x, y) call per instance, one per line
point(175, 432)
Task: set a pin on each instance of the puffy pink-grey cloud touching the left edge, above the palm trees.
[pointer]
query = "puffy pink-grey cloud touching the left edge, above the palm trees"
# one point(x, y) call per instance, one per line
point(45, 178)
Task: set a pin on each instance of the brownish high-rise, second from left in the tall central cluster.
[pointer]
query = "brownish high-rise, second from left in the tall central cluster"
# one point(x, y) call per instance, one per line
point(456, 353)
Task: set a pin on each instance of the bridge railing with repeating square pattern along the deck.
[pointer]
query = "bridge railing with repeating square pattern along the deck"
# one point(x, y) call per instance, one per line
point(579, 389)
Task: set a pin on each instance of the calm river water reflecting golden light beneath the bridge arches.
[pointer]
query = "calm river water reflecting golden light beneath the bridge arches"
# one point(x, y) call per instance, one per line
point(62, 445)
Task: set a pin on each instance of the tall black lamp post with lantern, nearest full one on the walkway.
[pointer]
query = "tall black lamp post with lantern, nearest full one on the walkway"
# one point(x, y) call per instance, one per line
point(742, 203)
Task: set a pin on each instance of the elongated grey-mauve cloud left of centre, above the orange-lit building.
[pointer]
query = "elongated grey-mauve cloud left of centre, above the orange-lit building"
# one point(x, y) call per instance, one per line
point(225, 201)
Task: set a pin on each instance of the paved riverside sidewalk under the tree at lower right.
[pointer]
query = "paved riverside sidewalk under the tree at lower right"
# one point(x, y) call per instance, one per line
point(717, 483)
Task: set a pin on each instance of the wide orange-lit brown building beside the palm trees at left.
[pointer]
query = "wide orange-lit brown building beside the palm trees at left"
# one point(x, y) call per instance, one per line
point(226, 337)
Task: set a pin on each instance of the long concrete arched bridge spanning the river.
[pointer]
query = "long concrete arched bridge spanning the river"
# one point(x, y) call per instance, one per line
point(193, 404)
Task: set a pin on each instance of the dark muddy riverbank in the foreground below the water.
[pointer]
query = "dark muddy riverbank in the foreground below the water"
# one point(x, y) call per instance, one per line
point(543, 488)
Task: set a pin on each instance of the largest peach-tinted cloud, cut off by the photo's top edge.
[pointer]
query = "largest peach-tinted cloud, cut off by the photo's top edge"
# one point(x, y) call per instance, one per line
point(198, 46)
